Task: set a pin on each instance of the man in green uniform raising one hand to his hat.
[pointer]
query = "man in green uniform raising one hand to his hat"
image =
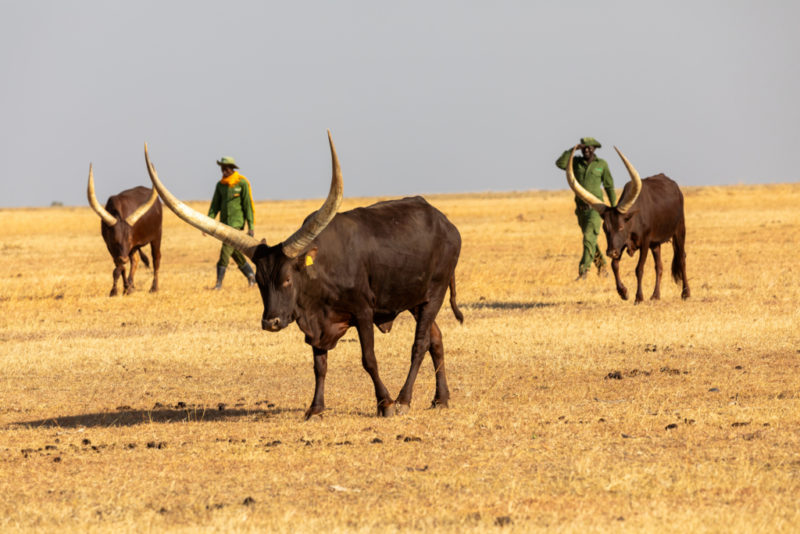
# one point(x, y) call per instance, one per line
point(593, 174)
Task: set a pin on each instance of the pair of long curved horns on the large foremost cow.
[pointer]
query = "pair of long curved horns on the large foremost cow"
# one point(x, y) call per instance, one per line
point(241, 240)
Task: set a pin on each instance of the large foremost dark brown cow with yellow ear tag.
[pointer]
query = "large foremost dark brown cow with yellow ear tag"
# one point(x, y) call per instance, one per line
point(356, 268)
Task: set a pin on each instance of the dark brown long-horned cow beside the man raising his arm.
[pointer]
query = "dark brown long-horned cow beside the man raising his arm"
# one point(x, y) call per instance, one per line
point(649, 213)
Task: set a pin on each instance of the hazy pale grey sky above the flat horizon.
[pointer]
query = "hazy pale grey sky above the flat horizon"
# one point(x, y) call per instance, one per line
point(421, 96)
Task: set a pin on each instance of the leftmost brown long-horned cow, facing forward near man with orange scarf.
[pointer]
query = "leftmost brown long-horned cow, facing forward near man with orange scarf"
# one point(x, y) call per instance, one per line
point(130, 220)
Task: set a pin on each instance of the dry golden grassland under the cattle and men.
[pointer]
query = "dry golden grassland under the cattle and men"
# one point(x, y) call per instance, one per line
point(571, 410)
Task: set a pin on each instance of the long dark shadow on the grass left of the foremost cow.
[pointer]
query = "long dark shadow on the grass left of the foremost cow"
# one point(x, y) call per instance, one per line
point(120, 418)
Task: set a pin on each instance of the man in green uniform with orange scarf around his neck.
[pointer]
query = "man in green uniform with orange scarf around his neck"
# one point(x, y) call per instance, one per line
point(234, 203)
